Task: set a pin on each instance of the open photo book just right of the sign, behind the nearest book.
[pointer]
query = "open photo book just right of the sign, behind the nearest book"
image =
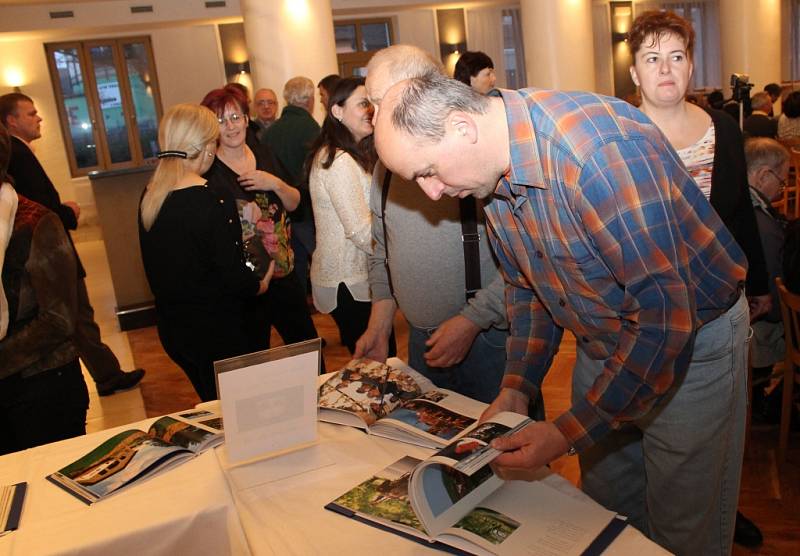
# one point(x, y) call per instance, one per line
point(394, 401)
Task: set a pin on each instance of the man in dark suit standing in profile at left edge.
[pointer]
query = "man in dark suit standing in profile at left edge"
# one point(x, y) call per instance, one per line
point(19, 115)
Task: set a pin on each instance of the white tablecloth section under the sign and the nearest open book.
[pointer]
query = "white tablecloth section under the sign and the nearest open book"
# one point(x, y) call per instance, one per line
point(281, 500)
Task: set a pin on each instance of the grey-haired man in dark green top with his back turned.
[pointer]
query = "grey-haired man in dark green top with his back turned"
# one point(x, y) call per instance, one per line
point(290, 139)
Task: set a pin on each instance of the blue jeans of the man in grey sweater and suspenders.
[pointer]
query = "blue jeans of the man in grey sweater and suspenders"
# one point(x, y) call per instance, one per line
point(478, 376)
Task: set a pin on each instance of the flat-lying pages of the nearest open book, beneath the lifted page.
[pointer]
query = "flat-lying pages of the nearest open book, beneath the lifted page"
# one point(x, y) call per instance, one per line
point(509, 518)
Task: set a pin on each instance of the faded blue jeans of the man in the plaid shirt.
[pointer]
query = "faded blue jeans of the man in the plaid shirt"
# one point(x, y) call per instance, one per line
point(675, 472)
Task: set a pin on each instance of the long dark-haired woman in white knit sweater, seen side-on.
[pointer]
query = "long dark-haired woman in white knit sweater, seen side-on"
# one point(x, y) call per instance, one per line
point(341, 162)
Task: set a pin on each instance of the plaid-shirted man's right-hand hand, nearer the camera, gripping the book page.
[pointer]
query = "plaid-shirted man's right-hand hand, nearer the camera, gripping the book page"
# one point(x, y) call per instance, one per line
point(528, 450)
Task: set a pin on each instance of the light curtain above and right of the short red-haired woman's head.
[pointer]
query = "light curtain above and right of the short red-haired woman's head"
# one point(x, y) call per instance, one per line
point(704, 15)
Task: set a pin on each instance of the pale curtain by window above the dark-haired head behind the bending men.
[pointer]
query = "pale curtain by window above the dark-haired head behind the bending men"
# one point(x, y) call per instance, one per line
point(498, 33)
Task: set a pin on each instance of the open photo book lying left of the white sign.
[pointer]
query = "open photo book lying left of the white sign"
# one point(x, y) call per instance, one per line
point(132, 455)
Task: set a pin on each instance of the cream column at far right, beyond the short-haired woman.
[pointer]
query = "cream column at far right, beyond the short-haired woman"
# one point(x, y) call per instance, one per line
point(750, 41)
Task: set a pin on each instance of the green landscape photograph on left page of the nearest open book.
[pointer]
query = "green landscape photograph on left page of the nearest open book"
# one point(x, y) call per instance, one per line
point(385, 495)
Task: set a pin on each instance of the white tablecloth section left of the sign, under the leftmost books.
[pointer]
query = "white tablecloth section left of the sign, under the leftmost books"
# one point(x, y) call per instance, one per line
point(184, 510)
